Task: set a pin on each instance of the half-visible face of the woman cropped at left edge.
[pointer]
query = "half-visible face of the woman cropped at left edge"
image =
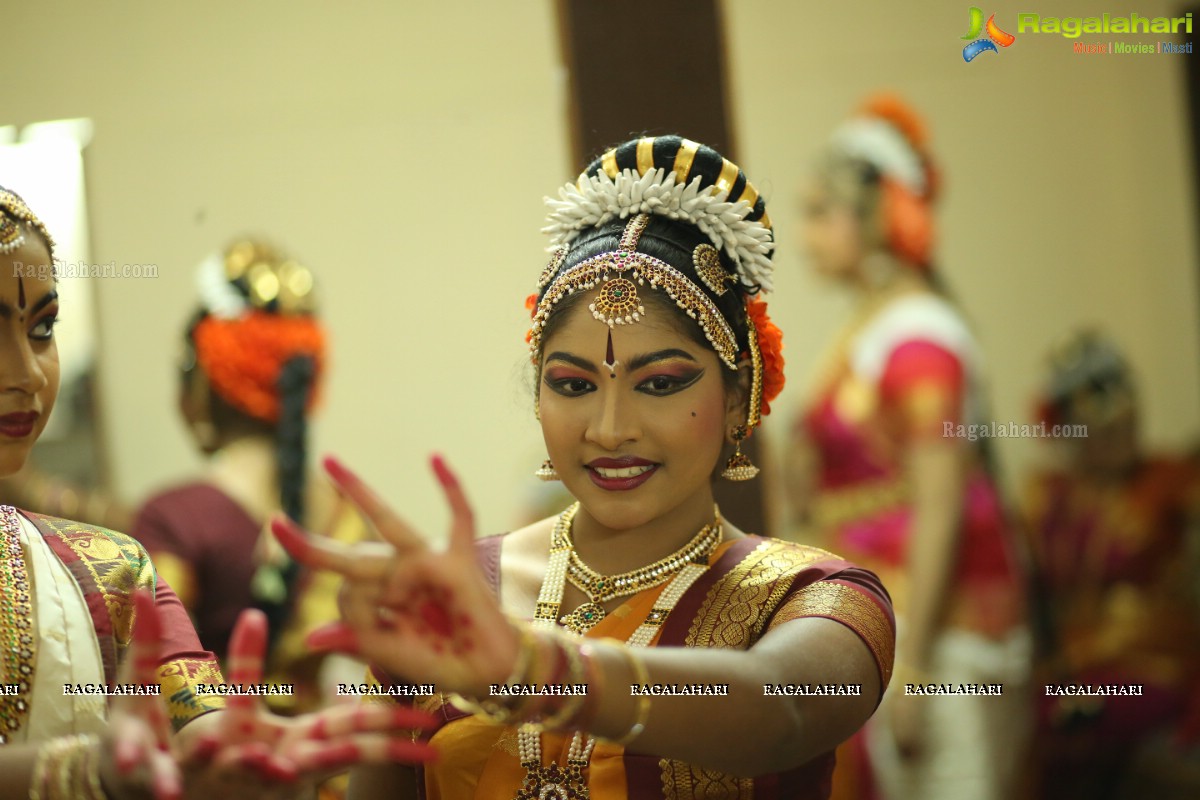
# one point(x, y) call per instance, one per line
point(29, 358)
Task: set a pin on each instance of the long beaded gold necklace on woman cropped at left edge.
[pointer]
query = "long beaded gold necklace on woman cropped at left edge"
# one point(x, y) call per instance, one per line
point(16, 625)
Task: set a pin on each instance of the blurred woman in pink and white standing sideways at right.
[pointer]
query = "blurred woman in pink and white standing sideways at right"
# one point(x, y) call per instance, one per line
point(879, 480)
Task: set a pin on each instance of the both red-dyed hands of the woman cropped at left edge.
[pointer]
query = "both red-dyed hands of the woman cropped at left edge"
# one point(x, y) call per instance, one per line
point(245, 750)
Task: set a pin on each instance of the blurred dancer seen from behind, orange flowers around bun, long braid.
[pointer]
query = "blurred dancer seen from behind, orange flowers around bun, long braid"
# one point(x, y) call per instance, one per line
point(253, 366)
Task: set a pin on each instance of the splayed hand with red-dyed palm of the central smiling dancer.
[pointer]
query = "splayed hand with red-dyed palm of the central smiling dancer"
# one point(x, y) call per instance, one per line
point(424, 616)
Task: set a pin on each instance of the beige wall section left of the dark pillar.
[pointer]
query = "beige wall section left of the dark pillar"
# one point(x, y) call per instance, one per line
point(401, 152)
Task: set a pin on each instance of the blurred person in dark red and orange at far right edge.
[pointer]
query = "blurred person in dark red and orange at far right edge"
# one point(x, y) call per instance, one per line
point(1117, 539)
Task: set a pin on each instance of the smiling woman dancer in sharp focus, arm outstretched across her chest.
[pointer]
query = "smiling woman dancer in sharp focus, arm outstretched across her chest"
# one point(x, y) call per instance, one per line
point(655, 359)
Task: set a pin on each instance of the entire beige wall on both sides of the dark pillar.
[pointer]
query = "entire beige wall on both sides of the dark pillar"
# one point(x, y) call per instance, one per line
point(403, 152)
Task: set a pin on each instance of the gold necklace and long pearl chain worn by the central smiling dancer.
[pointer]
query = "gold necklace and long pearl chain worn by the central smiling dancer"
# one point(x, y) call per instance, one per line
point(682, 569)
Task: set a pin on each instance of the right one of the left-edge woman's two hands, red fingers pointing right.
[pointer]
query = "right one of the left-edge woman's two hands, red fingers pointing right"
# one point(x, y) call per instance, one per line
point(248, 738)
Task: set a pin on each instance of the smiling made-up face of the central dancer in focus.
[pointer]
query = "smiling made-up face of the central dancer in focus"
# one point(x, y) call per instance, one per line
point(639, 442)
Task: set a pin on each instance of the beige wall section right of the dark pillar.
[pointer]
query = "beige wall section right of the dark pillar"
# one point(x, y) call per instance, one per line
point(1069, 195)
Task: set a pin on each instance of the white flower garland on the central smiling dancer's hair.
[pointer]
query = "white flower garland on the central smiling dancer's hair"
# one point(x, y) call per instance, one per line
point(603, 199)
